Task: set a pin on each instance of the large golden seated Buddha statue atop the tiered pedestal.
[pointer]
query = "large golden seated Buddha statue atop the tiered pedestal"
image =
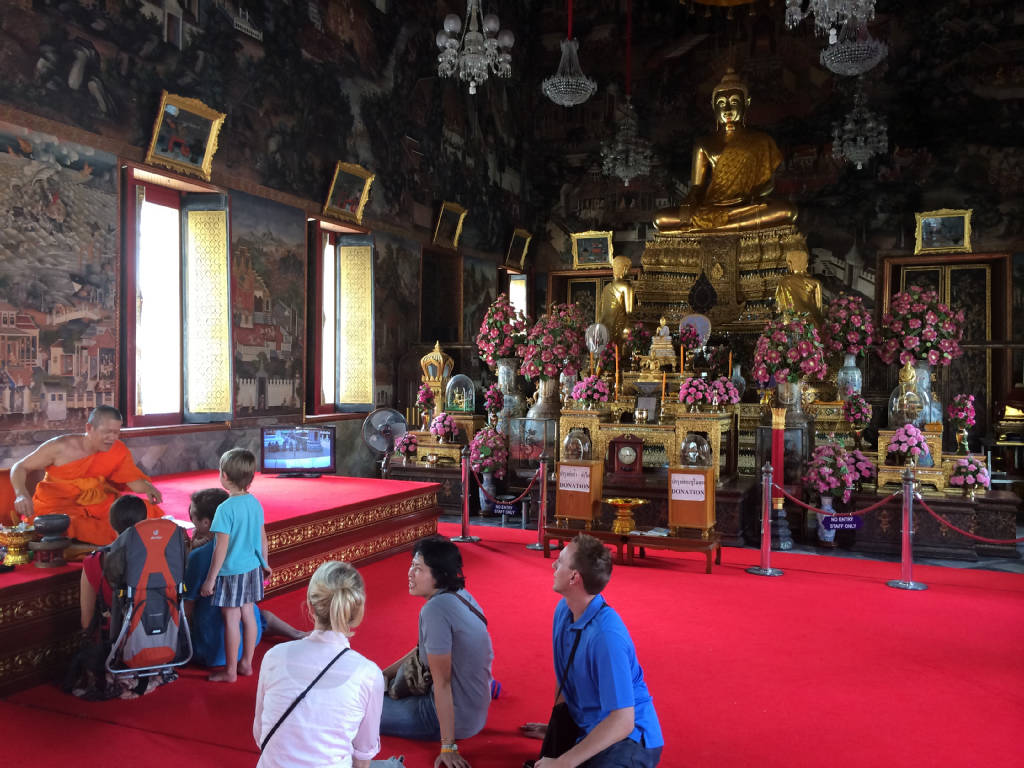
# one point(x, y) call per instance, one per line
point(732, 178)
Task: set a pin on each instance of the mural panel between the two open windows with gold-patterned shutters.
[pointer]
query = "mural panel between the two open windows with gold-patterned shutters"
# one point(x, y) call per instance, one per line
point(269, 245)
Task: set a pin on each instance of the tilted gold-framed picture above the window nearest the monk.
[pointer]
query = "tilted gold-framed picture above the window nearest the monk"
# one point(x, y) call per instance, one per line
point(185, 137)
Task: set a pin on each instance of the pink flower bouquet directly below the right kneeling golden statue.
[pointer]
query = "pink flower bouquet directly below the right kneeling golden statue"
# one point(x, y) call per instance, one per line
point(789, 349)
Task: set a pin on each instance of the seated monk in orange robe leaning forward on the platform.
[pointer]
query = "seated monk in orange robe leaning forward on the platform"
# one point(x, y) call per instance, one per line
point(84, 475)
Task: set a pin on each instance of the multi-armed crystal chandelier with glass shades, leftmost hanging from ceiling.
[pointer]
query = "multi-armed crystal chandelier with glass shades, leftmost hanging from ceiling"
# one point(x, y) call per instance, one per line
point(477, 54)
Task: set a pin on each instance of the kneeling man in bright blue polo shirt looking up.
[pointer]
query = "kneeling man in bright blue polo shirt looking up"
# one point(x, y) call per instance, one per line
point(603, 684)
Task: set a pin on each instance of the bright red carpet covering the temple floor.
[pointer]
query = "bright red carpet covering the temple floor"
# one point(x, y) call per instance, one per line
point(824, 666)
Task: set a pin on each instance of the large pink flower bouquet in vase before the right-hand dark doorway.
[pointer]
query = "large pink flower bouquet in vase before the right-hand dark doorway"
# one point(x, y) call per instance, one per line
point(919, 327)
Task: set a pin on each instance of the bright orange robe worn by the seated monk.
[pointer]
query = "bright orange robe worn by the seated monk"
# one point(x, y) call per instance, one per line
point(84, 490)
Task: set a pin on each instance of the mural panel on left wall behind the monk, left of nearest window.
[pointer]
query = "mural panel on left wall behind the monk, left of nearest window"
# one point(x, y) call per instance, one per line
point(59, 288)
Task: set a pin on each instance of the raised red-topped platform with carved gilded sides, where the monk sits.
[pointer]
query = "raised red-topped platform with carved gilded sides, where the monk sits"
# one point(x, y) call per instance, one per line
point(309, 522)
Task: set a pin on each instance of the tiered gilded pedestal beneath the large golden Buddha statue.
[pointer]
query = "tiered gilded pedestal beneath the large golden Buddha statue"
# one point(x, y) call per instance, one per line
point(744, 270)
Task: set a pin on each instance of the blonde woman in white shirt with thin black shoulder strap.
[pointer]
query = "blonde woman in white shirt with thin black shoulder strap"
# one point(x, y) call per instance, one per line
point(337, 722)
